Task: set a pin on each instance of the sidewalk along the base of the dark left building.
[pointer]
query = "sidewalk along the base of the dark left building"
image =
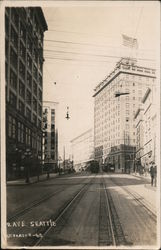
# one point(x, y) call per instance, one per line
point(33, 179)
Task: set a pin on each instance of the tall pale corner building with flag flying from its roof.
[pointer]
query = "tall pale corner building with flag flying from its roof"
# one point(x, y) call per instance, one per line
point(114, 126)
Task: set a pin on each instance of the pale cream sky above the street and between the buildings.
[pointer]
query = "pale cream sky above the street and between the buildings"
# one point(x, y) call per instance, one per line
point(81, 47)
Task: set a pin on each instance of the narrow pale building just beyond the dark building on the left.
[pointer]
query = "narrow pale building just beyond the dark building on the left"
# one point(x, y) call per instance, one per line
point(50, 136)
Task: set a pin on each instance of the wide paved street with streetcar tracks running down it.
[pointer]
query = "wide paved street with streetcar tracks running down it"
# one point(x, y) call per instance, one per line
point(82, 210)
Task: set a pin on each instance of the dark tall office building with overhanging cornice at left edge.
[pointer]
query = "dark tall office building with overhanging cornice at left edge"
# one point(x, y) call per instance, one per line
point(24, 34)
